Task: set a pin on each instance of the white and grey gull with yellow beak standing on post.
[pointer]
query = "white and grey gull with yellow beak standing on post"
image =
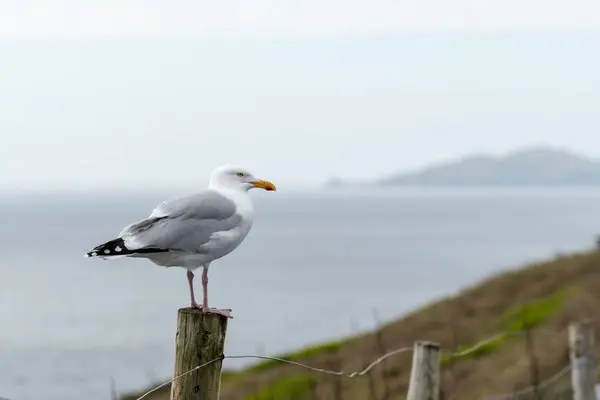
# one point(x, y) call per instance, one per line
point(193, 230)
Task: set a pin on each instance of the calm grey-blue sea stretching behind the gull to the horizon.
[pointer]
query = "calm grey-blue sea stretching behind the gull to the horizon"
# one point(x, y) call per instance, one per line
point(315, 264)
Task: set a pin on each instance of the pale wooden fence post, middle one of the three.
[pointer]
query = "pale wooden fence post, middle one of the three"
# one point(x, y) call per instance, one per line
point(425, 374)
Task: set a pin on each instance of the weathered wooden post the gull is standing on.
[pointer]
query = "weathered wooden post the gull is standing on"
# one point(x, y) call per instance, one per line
point(200, 339)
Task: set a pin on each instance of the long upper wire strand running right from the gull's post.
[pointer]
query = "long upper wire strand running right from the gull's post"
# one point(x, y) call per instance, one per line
point(362, 372)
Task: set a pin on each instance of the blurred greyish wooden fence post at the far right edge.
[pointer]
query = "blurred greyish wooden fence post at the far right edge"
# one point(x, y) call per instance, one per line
point(583, 368)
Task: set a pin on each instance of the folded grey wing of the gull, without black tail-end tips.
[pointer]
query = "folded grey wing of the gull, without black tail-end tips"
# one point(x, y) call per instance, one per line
point(184, 223)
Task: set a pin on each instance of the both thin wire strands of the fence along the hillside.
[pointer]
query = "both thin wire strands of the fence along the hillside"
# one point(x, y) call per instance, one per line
point(540, 386)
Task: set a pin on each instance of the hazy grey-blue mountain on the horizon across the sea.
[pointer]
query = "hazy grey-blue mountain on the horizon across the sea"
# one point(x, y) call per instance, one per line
point(530, 167)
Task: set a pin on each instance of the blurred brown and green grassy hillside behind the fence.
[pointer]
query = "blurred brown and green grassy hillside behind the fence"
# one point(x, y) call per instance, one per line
point(544, 298)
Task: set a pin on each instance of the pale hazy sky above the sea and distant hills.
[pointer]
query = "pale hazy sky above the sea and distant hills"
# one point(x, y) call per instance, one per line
point(155, 93)
